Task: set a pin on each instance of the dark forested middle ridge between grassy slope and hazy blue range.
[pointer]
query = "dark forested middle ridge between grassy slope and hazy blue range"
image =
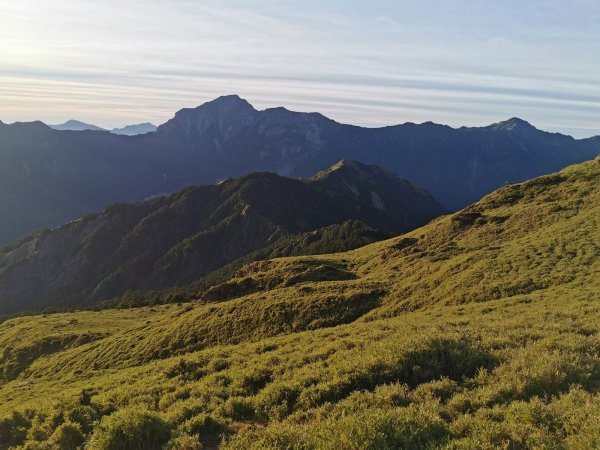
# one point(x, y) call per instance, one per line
point(173, 240)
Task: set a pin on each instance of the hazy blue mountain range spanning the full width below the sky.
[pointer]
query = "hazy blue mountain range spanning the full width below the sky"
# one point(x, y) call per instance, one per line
point(48, 177)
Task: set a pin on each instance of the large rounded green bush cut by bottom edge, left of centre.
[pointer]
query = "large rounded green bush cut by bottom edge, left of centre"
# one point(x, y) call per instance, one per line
point(131, 429)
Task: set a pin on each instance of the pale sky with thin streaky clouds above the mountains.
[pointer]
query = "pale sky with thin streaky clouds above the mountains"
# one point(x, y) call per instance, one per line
point(370, 63)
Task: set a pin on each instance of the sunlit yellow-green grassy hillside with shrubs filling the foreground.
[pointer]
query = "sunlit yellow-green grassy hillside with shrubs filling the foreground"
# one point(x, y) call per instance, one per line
point(480, 330)
